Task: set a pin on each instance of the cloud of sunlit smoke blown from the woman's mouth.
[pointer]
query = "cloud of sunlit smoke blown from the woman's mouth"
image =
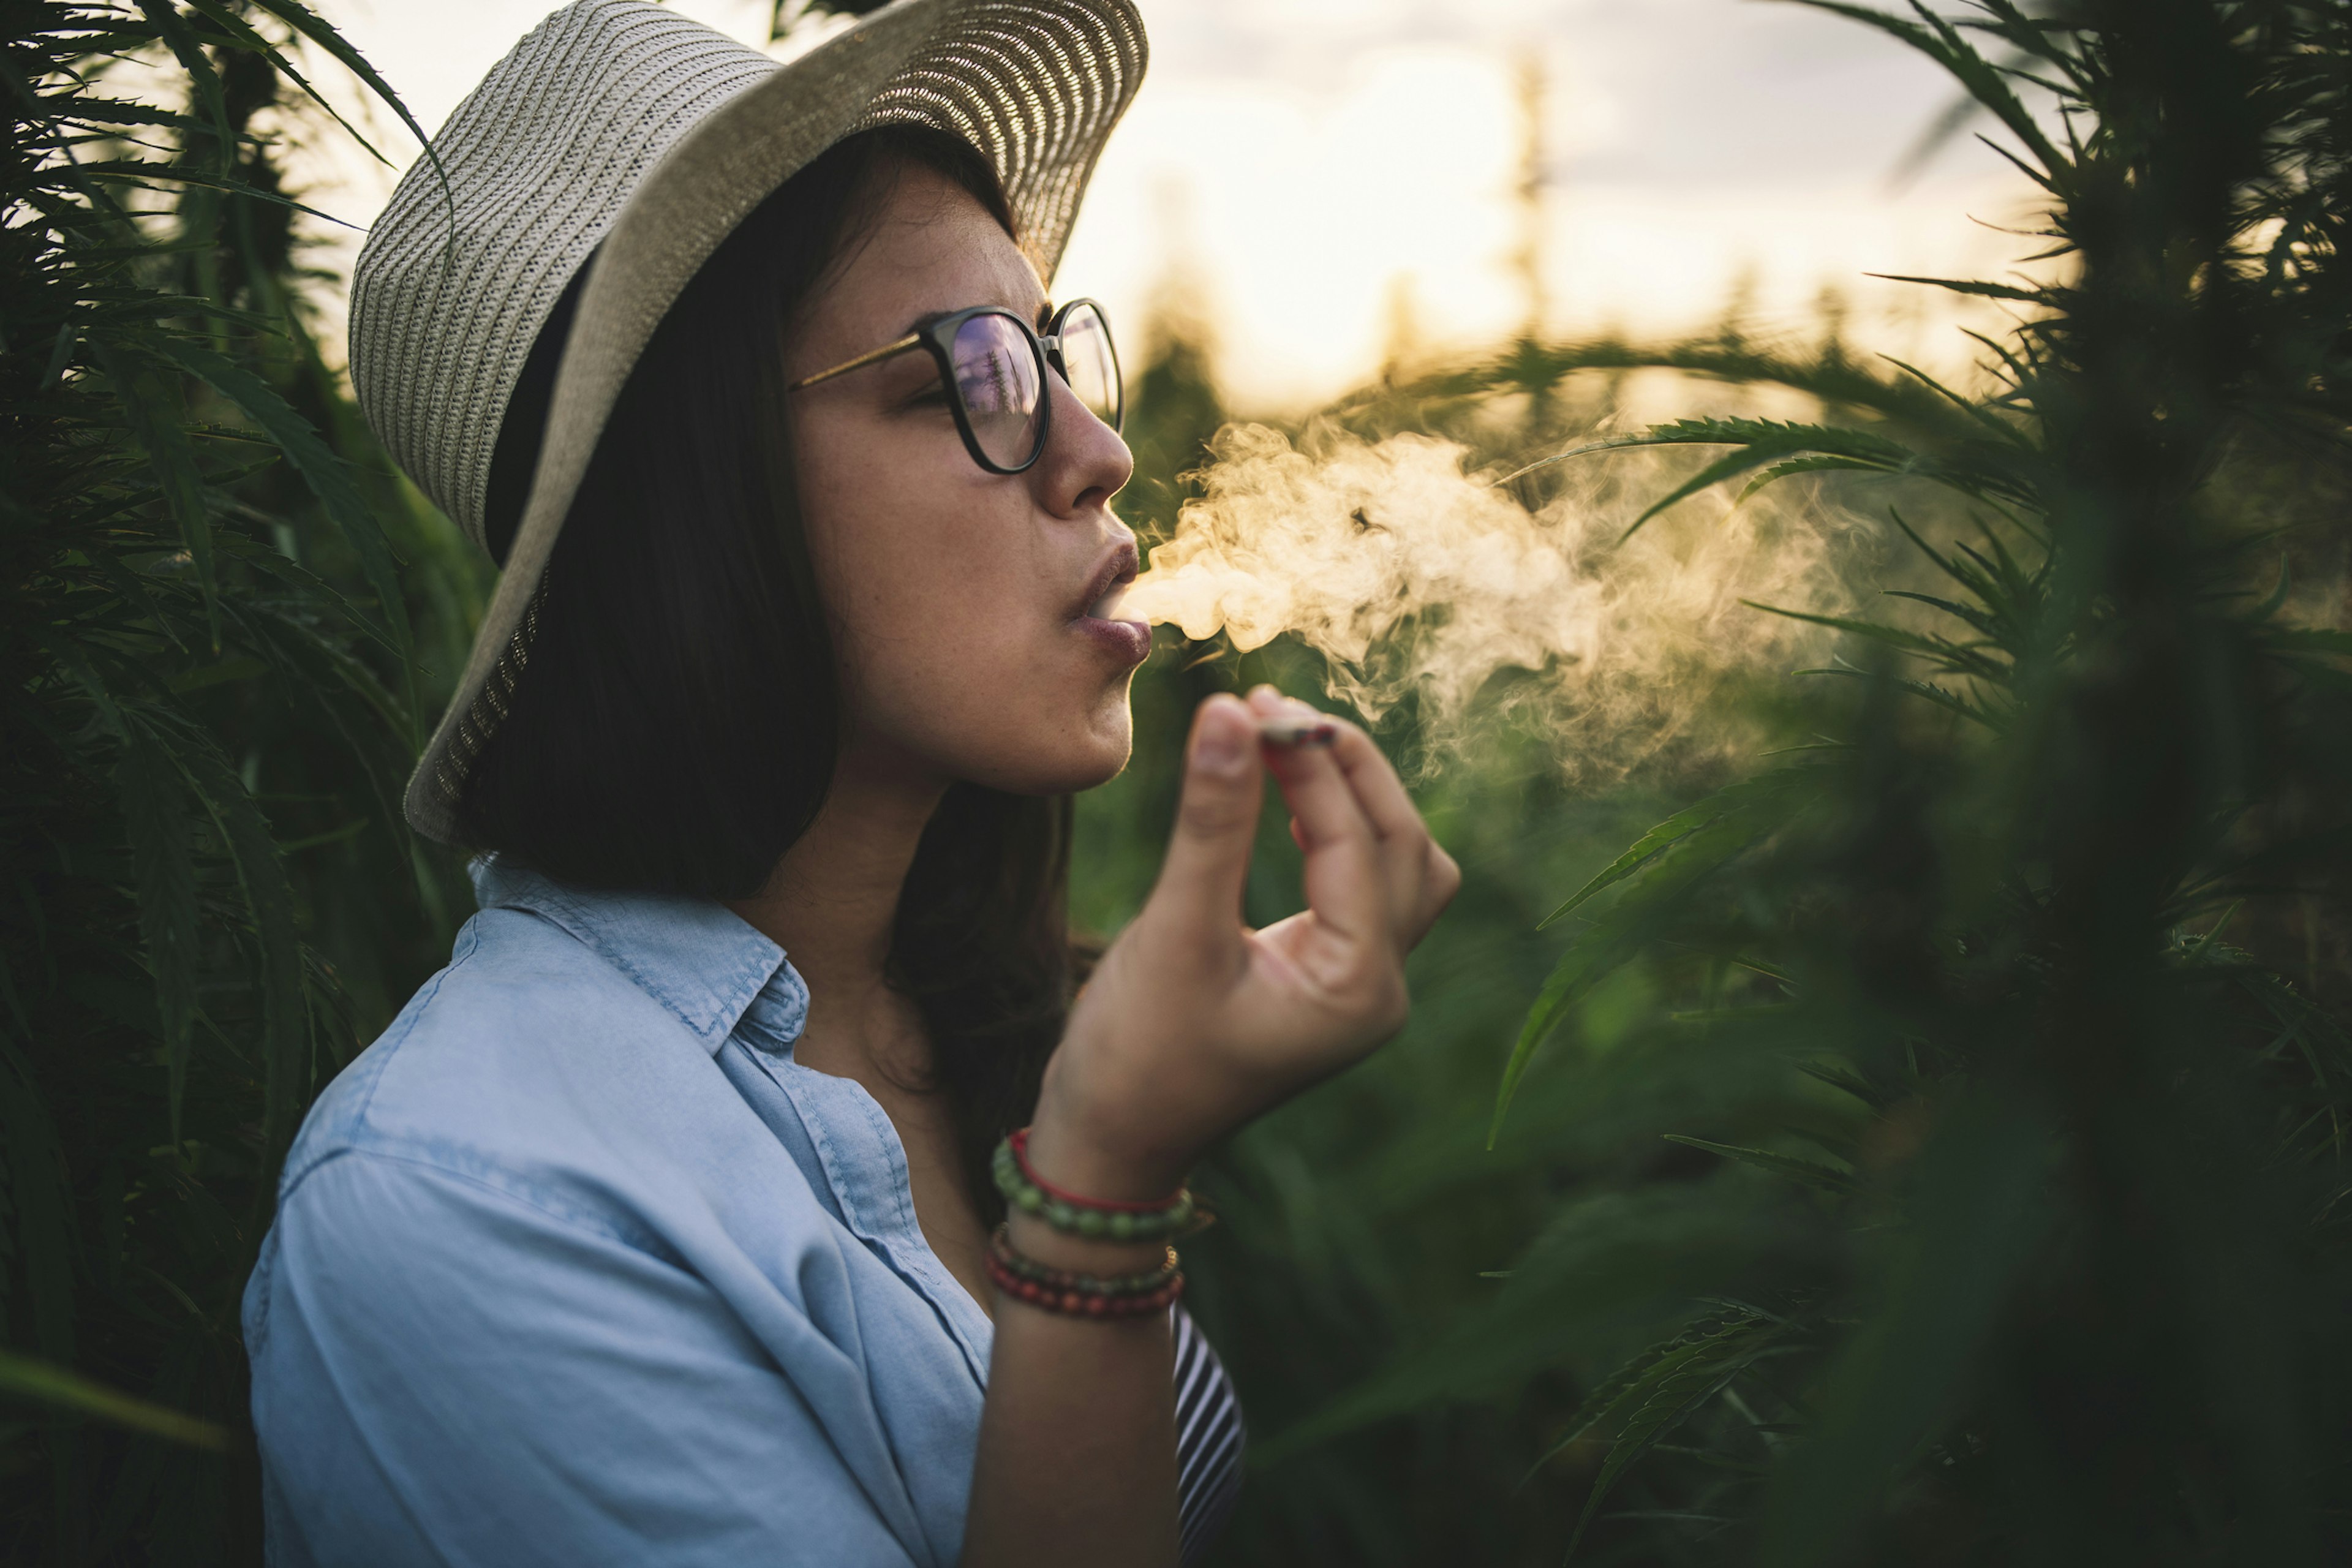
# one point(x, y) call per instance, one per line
point(1417, 579)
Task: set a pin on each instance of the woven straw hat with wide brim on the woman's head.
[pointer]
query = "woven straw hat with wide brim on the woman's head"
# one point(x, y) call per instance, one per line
point(643, 138)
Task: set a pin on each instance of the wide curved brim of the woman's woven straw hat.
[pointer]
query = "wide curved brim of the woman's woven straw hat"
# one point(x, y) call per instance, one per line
point(1034, 83)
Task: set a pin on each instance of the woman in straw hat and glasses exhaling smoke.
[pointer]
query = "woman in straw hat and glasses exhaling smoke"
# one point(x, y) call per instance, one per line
point(662, 1226)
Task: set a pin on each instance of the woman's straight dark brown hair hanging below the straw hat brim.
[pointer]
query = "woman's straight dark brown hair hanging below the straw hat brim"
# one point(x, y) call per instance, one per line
point(679, 716)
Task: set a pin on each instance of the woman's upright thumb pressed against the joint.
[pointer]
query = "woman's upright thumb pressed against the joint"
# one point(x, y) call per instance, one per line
point(1201, 885)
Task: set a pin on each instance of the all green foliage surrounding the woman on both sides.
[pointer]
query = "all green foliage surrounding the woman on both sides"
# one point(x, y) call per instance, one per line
point(1925, 1127)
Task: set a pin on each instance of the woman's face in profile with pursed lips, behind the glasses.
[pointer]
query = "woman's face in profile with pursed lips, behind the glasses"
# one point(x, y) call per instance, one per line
point(961, 598)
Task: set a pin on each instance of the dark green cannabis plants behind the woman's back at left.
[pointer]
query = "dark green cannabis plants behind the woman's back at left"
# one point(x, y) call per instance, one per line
point(213, 676)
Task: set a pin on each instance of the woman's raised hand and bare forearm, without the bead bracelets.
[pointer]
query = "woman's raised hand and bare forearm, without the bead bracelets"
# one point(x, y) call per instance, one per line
point(1191, 1026)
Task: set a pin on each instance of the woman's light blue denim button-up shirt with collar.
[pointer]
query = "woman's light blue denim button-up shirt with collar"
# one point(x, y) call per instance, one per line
point(577, 1266)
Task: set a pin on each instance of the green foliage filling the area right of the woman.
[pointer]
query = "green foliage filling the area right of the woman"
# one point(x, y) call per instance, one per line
point(1927, 1137)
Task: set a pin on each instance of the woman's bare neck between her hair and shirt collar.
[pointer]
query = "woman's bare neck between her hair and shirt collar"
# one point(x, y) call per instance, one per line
point(831, 904)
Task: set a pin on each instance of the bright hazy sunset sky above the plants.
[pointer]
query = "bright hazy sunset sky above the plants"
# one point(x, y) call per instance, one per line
point(1330, 180)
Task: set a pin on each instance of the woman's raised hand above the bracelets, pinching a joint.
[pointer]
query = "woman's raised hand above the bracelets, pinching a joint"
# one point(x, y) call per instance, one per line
point(1194, 1024)
